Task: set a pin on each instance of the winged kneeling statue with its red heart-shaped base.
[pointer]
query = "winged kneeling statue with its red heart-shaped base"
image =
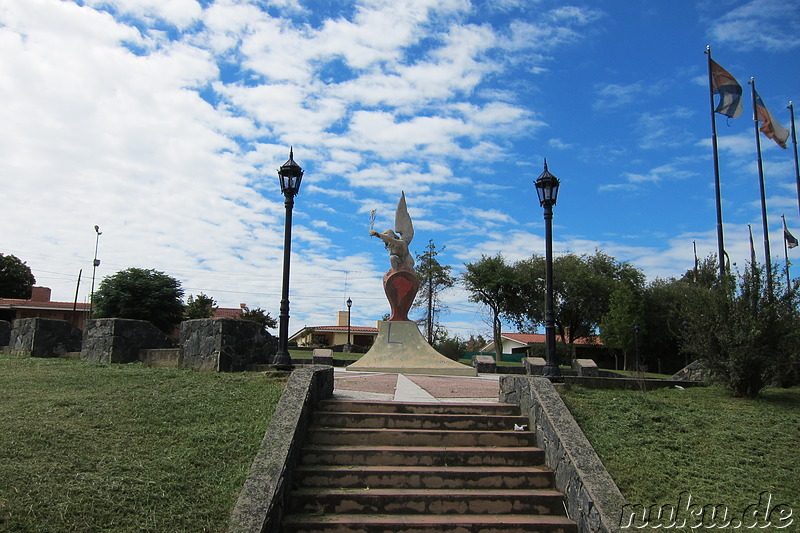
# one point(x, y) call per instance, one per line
point(400, 283)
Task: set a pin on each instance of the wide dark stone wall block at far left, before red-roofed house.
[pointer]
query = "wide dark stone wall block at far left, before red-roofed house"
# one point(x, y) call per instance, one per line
point(43, 337)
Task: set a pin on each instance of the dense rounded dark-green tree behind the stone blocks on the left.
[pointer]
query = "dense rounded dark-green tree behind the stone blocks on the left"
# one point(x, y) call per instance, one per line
point(141, 294)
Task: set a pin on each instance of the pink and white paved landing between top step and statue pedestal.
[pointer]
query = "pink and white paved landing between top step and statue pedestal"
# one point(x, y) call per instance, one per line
point(414, 387)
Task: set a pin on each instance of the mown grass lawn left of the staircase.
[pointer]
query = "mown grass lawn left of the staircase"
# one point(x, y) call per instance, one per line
point(95, 447)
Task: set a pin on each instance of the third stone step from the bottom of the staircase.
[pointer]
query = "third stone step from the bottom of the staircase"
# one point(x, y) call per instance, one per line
point(446, 477)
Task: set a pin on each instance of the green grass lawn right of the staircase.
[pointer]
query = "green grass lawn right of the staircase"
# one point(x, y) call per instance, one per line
point(721, 450)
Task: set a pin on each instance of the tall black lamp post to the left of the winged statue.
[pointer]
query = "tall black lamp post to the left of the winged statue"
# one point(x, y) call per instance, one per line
point(290, 175)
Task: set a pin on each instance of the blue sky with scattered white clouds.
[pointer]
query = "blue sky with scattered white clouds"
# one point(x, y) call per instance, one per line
point(164, 122)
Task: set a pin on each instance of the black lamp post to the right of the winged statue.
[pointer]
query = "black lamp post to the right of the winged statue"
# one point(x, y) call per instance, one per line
point(547, 189)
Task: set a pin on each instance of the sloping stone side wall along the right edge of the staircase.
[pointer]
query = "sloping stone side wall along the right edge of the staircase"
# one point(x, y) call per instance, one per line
point(593, 499)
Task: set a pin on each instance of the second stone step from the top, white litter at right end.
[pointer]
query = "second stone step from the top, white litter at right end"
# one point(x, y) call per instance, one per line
point(450, 421)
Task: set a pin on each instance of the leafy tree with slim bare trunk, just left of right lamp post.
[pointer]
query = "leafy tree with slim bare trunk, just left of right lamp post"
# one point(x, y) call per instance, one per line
point(493, 283)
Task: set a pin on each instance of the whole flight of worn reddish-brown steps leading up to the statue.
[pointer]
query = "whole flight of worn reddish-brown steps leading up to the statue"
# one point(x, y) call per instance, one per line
point(422, 467)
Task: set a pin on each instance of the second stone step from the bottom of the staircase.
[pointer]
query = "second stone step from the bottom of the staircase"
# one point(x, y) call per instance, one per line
point(425, 501)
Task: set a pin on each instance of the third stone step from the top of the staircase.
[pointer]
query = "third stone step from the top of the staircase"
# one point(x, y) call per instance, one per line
point(418, 437)
